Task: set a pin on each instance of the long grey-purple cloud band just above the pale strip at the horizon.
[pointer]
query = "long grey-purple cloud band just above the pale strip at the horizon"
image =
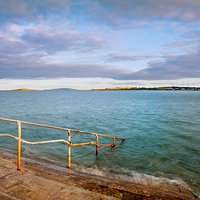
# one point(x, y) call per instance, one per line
point(172, 68)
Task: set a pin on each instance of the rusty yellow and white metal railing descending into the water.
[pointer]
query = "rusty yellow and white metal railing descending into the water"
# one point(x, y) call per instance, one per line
point(71, 132)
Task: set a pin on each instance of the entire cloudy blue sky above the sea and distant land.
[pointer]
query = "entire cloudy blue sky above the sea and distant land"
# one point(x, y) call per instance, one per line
point(85, 44)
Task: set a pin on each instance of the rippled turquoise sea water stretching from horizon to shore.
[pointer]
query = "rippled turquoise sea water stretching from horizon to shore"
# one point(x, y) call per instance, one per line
point(162, 129)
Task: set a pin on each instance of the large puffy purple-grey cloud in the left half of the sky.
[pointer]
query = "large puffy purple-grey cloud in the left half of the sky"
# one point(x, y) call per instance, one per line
point(31, 44)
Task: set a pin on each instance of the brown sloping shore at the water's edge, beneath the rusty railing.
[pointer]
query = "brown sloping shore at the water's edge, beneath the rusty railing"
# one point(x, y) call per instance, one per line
point(36, 181)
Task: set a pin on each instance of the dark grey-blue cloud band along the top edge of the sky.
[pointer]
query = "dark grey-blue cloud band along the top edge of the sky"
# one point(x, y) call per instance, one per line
point(108, 12)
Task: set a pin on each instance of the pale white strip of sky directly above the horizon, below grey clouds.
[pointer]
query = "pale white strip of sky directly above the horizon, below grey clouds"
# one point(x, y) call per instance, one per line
point(89, 83)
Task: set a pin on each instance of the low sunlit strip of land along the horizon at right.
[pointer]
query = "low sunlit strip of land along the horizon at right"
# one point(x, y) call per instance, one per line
point(151, 88)
